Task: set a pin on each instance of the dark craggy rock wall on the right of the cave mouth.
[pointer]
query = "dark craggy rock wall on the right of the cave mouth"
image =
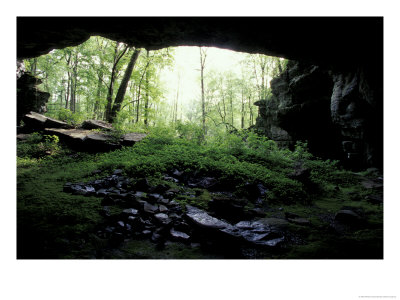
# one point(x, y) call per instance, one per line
point(340, 114)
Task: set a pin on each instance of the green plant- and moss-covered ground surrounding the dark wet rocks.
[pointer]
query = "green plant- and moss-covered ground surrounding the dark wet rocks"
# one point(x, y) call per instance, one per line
point(55, 224)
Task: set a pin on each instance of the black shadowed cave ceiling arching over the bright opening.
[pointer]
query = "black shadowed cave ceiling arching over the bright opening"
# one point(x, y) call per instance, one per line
point(333, 41)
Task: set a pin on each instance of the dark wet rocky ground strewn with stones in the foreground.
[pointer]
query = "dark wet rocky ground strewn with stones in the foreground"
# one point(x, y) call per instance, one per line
point(188, 216)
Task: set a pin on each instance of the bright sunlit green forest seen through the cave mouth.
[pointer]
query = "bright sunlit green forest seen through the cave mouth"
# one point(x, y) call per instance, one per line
point(166, 86)
